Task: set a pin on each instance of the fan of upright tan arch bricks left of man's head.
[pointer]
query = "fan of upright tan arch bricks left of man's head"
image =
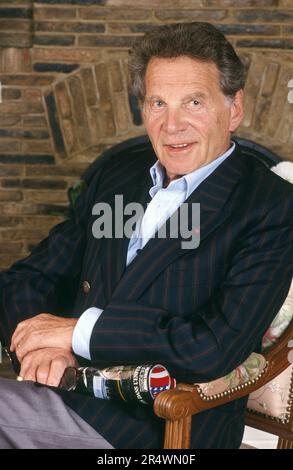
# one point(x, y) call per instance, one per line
point(91, 109)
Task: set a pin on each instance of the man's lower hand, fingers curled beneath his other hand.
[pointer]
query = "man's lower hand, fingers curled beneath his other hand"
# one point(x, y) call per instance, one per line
point(47, 365)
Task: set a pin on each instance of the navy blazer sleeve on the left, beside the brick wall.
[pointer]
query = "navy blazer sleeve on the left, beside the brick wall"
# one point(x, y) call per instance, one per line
point(42, 281)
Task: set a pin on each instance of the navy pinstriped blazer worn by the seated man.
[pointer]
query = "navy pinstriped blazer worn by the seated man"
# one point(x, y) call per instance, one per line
point(199, 312)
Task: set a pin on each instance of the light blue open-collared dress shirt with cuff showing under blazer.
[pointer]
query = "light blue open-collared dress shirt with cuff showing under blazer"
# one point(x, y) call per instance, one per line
point(165, 201)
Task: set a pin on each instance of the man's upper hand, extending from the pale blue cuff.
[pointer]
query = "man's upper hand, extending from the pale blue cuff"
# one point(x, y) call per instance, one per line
point(42, 331)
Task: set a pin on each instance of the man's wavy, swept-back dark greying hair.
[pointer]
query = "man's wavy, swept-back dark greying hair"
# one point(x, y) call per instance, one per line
point(196, 40)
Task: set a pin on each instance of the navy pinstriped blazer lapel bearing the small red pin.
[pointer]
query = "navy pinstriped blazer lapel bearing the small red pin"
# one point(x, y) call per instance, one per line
point(213, 195)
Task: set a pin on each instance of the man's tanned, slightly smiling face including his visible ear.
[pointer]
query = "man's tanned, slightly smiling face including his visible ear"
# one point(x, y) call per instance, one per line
point(186, 115)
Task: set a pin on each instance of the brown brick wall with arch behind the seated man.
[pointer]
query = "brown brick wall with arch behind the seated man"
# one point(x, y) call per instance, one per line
point(65, 96)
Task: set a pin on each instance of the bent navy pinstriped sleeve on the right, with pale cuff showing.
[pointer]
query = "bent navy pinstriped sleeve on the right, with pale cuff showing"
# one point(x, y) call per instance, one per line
point(222, 334)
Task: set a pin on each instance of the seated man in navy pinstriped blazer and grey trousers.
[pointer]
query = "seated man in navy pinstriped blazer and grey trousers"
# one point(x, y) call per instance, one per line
point(198, 310)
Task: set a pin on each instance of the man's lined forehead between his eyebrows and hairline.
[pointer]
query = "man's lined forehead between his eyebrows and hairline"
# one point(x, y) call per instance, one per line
point(182, 73)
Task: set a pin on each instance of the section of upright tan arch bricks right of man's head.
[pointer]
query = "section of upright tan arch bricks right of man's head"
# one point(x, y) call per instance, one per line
point(268, 112)
